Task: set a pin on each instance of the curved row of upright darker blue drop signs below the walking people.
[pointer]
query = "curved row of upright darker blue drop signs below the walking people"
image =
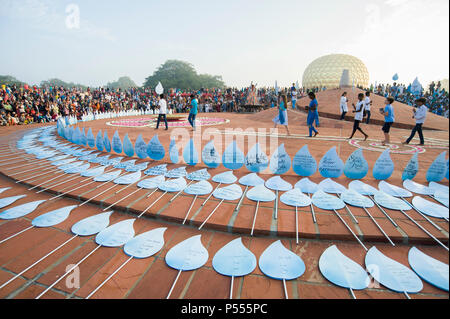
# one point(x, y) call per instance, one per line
point(303, 163)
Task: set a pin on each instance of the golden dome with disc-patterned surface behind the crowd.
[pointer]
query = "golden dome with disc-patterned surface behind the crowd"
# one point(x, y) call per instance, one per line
point(327, 70)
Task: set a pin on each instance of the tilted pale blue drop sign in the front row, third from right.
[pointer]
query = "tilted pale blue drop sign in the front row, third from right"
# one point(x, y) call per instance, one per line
point(342, 271)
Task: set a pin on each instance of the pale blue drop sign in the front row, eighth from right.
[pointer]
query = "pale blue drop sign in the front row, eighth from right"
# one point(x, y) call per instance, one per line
point(116, 235)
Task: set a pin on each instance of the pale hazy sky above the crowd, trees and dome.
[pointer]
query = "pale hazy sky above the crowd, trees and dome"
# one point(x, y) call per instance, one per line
point(260, 41)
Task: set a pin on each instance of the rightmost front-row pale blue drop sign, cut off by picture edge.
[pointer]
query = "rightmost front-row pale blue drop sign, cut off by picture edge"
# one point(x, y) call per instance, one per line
point(429, 269)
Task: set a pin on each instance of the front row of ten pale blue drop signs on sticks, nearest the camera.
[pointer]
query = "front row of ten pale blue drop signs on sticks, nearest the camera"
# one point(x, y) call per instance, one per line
point(235, 260)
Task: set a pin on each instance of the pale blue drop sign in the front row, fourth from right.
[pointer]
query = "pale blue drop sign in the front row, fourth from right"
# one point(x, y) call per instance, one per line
point(279, 263)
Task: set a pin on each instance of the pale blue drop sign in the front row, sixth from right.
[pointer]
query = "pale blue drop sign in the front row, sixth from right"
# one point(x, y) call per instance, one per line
point(188, 255)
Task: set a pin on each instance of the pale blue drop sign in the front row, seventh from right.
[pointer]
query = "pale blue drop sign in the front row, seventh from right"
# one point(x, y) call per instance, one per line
point(146, 244)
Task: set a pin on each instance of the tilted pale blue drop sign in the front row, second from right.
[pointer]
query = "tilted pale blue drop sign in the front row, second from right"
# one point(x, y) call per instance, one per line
point(391, 273)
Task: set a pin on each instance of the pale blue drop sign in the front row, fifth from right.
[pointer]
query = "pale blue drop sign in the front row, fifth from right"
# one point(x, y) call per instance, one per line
point(234, 259)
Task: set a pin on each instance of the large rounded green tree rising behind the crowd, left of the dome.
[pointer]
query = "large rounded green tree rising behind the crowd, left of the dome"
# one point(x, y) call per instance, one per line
point(182, 75)
